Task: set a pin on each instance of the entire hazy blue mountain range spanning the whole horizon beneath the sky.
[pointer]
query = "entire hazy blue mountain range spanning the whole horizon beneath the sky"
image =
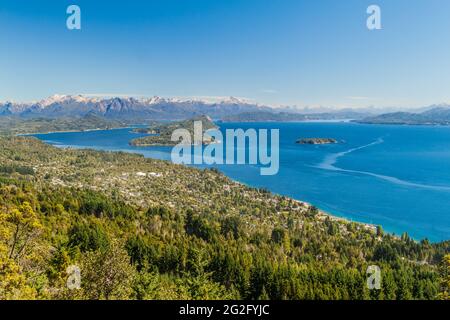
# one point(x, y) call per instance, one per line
point(144, 110)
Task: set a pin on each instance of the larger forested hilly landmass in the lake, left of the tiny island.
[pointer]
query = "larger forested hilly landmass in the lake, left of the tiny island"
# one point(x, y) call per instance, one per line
point(161, 134)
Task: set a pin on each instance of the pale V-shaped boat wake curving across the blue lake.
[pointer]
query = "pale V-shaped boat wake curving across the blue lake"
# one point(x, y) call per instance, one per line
point(329, 163)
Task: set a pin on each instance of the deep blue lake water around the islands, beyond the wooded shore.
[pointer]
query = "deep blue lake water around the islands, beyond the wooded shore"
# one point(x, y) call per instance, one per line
point(394, 176)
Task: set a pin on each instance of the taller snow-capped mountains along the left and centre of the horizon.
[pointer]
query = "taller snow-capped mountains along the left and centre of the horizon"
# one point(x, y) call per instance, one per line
point(129, 108)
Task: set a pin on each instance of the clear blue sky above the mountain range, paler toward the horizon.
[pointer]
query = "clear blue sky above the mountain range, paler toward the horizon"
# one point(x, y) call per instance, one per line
point(288, 52)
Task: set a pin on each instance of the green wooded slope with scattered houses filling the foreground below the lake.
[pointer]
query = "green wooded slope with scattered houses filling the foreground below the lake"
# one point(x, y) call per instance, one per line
point(146, 229)
